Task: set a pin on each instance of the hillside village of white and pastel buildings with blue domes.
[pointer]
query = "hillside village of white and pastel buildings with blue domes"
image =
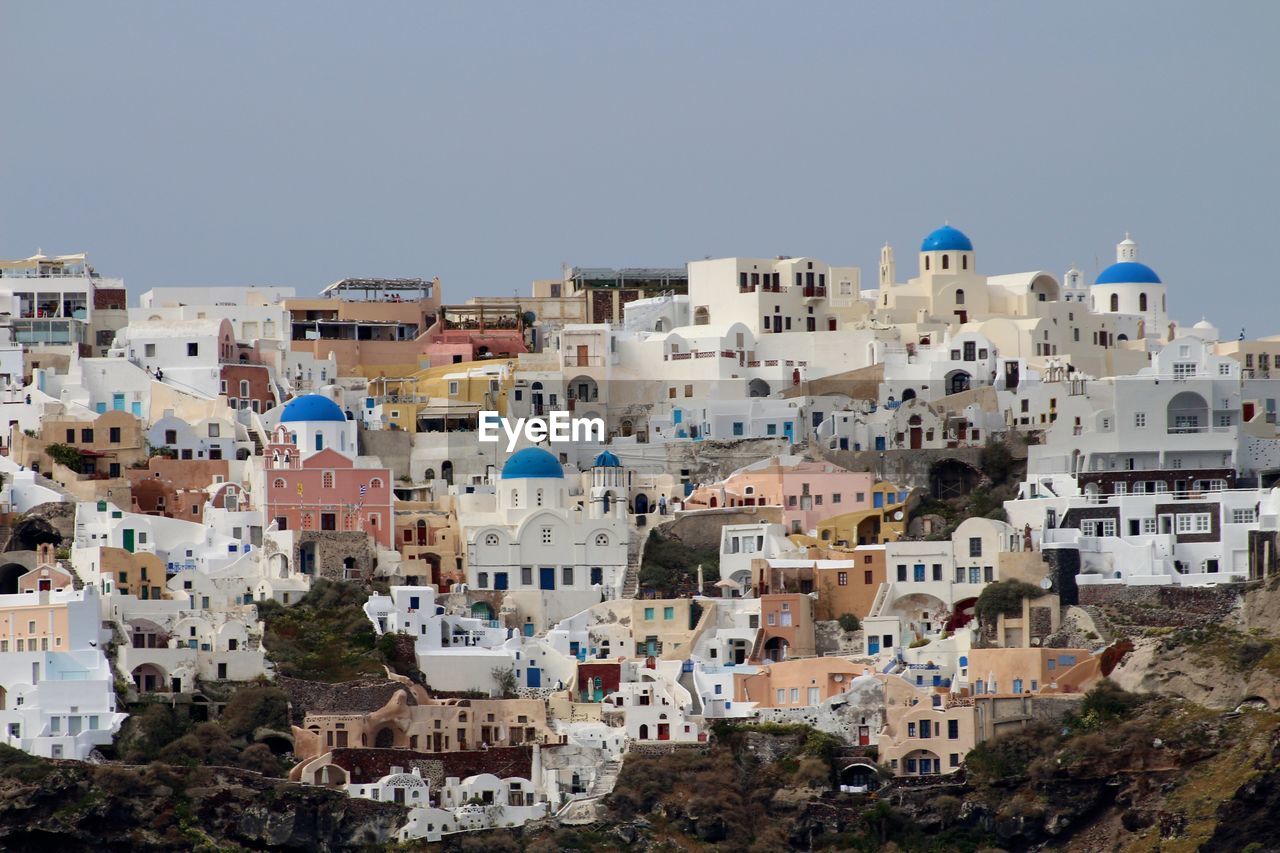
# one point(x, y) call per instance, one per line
point(907, 519)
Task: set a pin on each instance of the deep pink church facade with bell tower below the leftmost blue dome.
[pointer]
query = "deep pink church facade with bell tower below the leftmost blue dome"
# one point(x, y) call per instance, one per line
point(327, 492)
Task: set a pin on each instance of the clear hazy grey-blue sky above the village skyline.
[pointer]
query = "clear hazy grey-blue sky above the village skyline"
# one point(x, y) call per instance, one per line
point(490, 144)
